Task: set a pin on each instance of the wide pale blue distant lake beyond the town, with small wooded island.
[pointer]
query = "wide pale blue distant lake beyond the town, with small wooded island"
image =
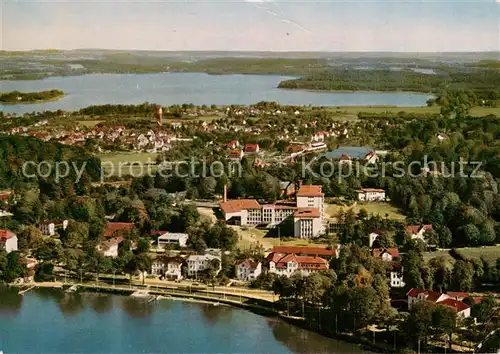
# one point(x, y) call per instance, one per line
point(196, 88)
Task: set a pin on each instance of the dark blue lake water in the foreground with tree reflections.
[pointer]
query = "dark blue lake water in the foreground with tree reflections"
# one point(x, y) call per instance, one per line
point(51, 321)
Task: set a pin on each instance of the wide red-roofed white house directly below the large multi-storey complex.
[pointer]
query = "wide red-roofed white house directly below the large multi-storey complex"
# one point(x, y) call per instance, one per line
point(291, 264)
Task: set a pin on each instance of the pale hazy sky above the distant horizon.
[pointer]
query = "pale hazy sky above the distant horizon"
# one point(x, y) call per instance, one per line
point(255, 25)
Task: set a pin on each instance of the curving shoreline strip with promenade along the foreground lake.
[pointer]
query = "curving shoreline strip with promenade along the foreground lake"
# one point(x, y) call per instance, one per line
point(207, 300)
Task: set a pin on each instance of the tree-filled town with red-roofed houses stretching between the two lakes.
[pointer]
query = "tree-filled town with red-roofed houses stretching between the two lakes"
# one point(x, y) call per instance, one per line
point(352, 253)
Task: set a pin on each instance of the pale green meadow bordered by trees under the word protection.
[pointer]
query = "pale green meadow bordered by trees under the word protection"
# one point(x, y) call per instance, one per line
point(121, 164)
